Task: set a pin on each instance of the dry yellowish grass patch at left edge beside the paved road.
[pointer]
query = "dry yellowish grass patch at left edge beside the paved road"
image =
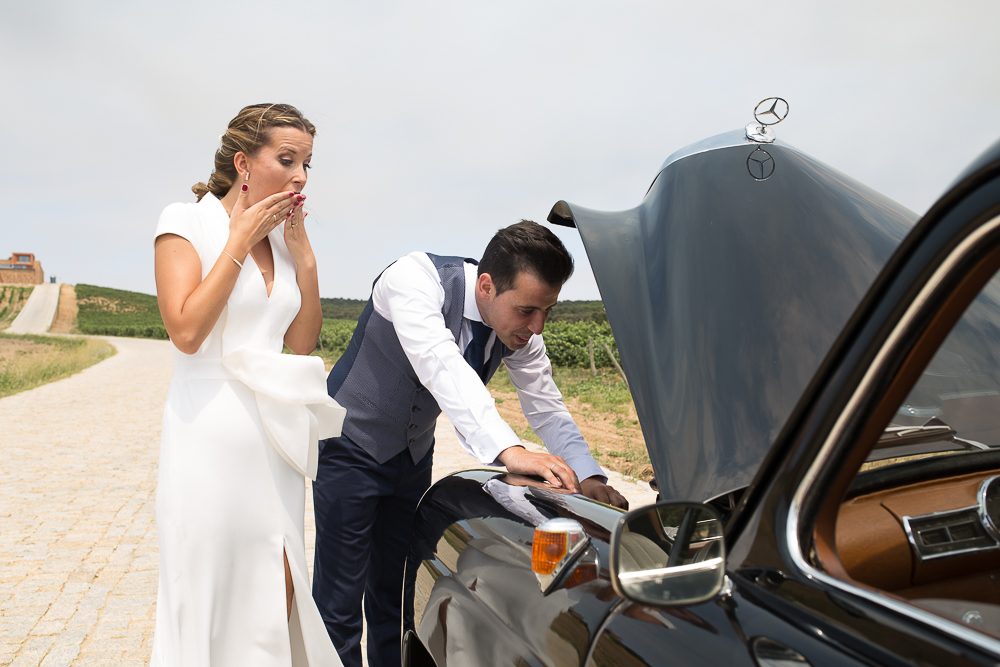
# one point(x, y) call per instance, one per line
point(27, 362)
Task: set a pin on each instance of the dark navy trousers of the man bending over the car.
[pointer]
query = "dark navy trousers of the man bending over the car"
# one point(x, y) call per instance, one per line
point(364, 518)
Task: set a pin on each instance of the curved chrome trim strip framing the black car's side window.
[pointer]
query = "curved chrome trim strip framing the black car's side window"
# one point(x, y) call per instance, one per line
point(966, 634)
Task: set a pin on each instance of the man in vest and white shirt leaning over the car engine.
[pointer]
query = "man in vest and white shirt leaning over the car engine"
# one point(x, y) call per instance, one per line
point(432, 335)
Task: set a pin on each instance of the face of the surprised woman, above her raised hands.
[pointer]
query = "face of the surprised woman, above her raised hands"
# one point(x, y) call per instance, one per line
point(281, 165)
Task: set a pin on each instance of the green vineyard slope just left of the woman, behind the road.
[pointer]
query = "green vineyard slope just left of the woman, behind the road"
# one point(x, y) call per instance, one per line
point(104, 311)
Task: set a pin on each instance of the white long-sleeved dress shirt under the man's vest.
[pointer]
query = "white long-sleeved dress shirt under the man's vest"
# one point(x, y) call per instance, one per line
point(410, 295)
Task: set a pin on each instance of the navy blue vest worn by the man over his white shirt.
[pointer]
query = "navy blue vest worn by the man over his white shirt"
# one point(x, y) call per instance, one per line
point(388, 410)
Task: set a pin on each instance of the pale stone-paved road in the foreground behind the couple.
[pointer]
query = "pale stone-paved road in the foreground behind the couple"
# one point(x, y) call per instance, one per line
point(78, 552)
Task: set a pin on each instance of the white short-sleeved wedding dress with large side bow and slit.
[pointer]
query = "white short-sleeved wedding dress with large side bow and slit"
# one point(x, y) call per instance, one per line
point(240, 431)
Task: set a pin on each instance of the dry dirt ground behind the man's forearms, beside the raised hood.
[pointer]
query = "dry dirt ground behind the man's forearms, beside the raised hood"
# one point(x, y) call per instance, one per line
point(615, 439)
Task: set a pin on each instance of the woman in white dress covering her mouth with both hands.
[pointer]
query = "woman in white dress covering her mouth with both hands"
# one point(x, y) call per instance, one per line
point(236, 280)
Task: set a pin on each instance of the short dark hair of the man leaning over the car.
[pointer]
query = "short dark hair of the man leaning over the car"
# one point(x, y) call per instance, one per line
point(526, 246)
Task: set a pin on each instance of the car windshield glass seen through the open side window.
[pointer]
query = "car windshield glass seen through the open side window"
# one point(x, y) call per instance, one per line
point(955, 405)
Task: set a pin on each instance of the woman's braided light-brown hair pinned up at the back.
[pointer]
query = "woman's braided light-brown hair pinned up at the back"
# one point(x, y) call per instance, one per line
point(247, 134)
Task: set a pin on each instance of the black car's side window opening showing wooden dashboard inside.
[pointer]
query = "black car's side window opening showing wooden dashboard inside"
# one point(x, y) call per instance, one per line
point(920, 519)
